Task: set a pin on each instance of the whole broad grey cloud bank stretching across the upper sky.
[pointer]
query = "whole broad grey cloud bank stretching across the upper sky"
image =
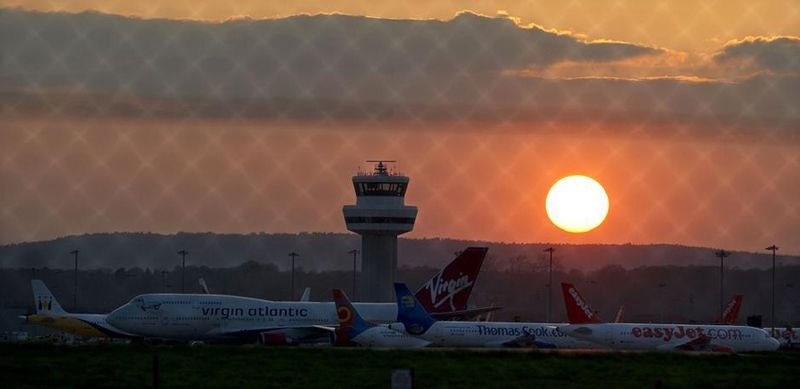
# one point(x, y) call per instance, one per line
point(337, 66)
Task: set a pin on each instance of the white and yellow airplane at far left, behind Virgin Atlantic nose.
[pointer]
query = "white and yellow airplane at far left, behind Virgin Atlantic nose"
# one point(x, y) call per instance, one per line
point(50, 314)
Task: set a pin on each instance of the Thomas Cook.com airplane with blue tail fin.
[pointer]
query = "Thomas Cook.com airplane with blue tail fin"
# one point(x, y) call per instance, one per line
point(414, 320)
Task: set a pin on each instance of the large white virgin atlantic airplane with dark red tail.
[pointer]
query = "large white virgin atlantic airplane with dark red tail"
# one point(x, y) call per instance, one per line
point(233, 318)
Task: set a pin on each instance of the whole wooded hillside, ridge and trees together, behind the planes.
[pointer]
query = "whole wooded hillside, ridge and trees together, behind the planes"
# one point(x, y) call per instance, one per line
point(651, 282)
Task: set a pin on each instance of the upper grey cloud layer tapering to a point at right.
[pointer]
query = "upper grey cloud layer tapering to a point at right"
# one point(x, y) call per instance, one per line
point(105, 52)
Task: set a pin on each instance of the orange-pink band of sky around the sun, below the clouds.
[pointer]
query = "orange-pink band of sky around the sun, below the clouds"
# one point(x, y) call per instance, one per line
point(476, 182)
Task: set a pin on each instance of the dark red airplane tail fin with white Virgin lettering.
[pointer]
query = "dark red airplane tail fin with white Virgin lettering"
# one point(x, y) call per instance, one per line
point(450, 288)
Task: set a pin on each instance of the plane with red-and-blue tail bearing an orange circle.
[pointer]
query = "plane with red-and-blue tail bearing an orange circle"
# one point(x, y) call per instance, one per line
point(353, 329)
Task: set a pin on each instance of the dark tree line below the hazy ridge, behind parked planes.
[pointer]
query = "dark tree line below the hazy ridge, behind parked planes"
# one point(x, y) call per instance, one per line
point(684, 294)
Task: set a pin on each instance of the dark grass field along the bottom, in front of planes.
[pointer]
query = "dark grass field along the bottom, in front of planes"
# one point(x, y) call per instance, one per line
point(85, 366)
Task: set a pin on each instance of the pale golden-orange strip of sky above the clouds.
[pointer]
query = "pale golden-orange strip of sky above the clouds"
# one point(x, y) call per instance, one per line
point(680, 25)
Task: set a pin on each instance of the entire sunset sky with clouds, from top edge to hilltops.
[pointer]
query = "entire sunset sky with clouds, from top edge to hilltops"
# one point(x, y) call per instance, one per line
point(243, 117)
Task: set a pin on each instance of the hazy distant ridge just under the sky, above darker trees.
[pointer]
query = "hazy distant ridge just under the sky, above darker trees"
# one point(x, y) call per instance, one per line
point(329, 251)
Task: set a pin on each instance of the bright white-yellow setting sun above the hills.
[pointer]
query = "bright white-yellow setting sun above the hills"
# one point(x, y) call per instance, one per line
point(577, 204)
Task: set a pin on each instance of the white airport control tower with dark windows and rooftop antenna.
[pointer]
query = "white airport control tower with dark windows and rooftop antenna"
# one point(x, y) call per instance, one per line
point(379, 216)
